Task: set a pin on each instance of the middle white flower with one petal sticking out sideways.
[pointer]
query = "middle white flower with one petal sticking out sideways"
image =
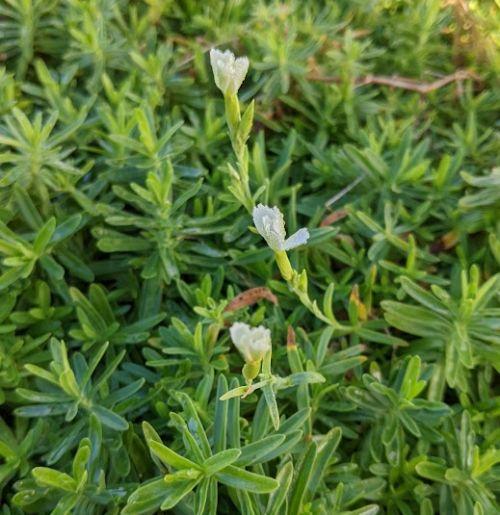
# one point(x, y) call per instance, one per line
point(271, 226)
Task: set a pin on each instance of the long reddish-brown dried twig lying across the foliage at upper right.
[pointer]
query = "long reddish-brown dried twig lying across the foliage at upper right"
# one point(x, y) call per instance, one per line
point(397, 81)
